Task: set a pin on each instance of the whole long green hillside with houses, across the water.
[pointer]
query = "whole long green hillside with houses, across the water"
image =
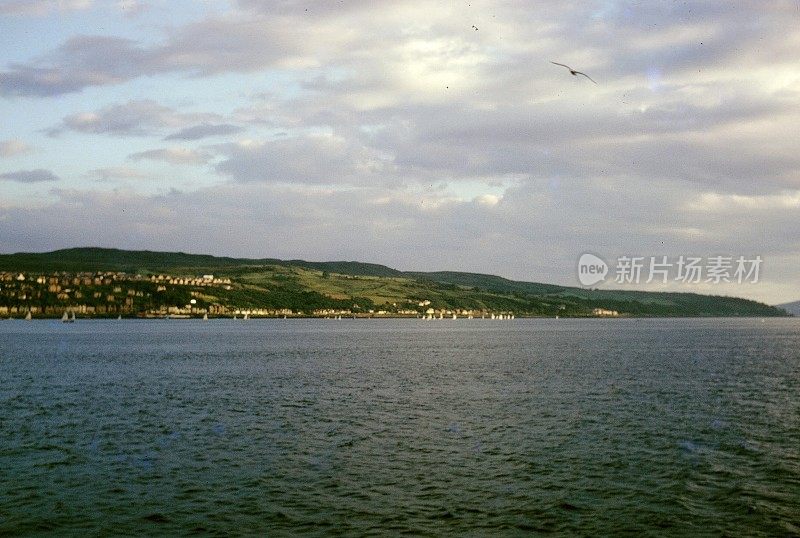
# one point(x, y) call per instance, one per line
point(110, 281)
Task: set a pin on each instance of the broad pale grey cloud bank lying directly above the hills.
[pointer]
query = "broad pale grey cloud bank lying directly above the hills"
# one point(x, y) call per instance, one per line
point(521, 235)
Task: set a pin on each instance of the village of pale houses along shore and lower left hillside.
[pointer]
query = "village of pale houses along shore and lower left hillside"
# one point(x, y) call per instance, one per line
point(117, 294)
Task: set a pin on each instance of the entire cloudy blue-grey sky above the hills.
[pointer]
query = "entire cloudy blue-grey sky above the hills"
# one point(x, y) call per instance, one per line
point(420, 135)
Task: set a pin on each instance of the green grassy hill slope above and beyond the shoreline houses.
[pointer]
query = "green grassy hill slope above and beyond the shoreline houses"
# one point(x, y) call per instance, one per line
point(299, 285)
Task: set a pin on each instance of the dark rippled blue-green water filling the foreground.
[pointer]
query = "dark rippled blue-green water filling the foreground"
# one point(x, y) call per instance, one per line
point(588, 427)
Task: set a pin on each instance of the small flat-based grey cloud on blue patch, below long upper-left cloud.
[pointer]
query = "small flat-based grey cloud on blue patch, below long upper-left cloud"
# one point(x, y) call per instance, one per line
point(134, 118)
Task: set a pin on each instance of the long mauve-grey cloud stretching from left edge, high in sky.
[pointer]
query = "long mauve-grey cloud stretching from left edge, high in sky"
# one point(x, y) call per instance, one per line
point(204, 48)
